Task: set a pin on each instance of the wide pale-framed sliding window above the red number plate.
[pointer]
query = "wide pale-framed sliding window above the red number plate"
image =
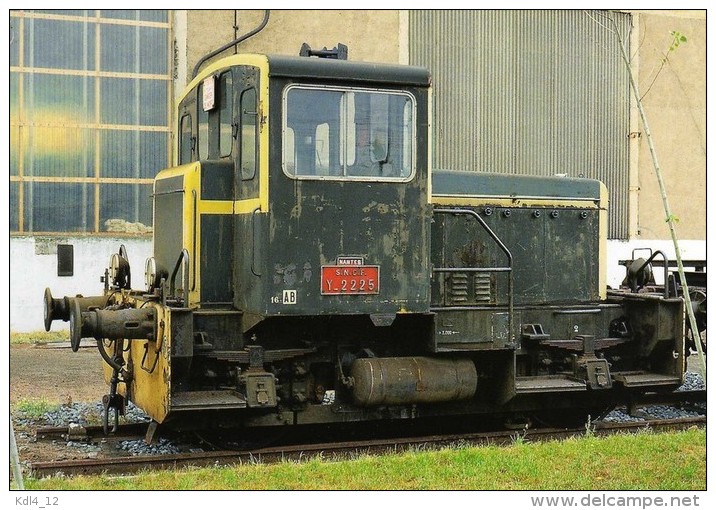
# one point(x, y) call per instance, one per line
point(346, 133)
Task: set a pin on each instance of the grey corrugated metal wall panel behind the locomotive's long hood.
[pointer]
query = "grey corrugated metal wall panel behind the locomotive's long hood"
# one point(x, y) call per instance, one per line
point(530, 92)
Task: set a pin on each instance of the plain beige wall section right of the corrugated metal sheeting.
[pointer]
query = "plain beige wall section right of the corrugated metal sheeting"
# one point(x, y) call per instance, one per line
point(675, 105)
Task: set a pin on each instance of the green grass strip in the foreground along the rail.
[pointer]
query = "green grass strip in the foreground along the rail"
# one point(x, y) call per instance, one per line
point(642, 461)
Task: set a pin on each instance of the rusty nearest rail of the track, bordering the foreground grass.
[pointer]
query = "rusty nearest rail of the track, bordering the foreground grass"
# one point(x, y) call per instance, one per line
point(126, 465)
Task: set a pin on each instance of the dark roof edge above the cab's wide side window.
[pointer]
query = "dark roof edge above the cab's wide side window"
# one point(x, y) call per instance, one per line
point(334, 69)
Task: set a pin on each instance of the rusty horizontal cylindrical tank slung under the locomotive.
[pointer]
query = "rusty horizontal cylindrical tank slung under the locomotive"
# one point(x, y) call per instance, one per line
point(412, 380)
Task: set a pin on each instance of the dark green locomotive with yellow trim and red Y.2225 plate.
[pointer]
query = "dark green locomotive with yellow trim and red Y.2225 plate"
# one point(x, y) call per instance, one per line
point(310, 267)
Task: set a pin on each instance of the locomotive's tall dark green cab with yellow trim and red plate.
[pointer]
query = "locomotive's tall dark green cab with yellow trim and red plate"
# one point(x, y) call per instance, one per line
point(315, 206)
